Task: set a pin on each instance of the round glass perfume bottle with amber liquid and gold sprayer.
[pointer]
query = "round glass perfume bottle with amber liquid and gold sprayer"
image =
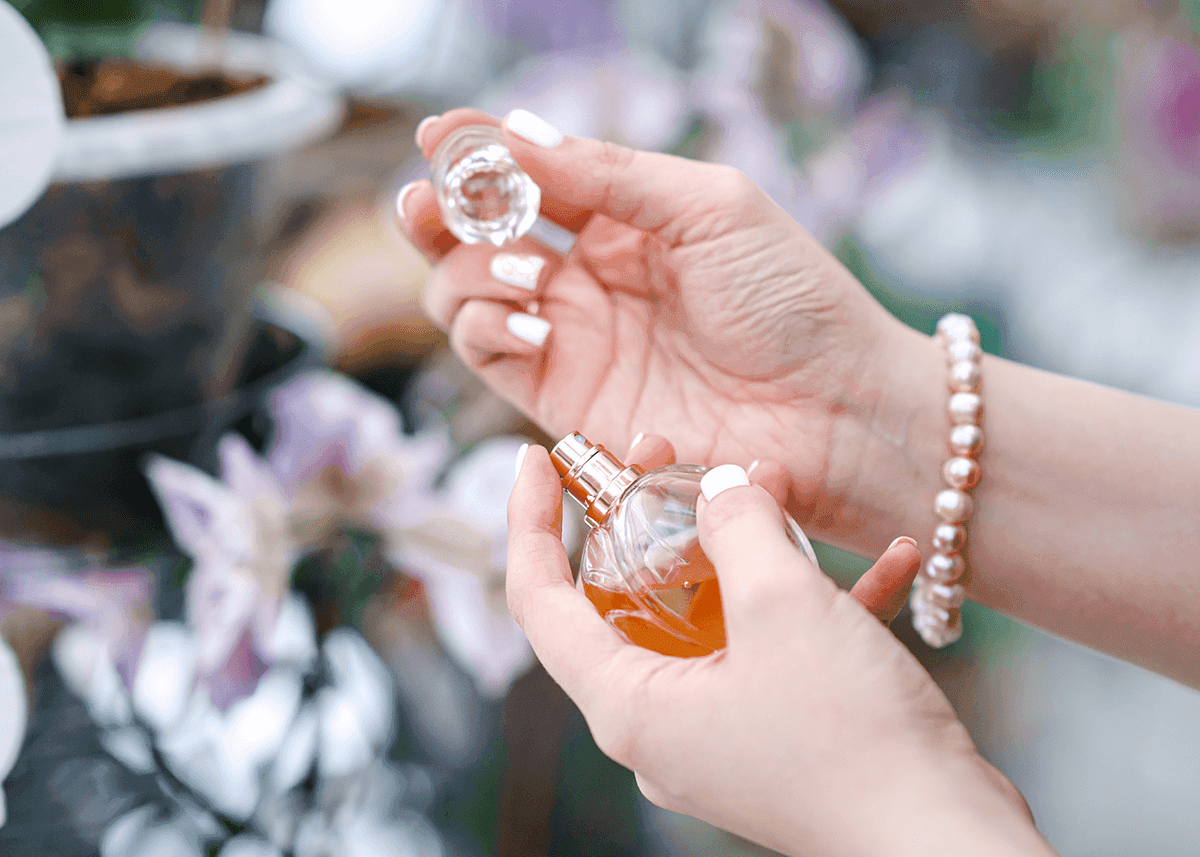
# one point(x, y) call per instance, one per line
point(643, 567)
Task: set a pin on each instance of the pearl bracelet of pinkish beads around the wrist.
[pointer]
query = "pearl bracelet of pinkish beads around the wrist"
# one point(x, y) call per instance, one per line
point(938, 596)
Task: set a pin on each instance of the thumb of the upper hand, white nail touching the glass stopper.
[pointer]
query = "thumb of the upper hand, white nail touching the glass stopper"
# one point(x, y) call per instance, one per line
point(663, 195)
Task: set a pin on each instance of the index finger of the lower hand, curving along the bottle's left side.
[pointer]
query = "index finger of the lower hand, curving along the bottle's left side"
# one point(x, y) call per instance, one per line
point(583, 652)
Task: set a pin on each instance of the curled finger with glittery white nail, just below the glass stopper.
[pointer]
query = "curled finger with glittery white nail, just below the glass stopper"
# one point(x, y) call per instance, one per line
point(479, 272)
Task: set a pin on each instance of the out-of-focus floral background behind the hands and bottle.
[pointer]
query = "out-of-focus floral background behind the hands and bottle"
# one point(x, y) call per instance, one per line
point(211, 251)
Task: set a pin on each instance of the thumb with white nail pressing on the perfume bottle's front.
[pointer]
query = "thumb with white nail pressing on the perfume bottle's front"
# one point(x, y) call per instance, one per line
point(763, 574)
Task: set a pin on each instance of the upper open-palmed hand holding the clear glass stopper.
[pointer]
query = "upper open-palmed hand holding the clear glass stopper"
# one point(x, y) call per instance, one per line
point(691, 307)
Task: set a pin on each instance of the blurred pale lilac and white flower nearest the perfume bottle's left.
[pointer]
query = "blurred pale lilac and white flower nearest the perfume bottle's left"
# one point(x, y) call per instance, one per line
point(344, 457)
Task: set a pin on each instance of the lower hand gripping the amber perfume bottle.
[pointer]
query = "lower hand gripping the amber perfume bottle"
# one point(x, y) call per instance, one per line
point(814, 732)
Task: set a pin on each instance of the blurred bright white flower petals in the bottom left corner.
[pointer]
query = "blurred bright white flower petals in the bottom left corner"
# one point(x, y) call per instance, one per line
point(307, 744)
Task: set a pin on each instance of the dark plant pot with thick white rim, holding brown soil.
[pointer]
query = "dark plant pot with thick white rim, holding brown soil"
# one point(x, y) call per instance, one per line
point(125, 314)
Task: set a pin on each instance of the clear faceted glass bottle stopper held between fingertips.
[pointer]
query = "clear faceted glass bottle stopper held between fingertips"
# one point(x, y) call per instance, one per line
point(485, 197)
